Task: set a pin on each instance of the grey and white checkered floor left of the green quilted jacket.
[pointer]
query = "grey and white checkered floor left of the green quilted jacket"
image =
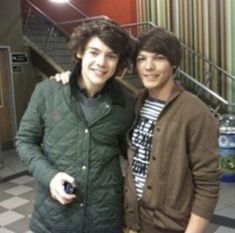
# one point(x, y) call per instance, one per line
point(16, 199)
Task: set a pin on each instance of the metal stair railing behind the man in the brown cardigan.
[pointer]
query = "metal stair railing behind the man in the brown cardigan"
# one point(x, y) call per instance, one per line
point(198, 74)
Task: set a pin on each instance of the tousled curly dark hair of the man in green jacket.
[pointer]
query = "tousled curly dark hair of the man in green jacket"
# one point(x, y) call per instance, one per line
point(109, 32)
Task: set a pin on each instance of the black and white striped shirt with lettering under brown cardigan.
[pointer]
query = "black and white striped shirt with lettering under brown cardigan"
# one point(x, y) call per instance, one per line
point(142, 140)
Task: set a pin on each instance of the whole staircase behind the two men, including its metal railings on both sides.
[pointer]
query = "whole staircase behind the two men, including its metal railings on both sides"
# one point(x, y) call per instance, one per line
point(49, 52)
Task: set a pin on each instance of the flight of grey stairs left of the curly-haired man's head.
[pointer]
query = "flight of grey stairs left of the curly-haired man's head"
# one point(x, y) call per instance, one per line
point(46, 40)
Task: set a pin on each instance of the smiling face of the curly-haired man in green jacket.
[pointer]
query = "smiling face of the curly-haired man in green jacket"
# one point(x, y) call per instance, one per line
point(99, 63)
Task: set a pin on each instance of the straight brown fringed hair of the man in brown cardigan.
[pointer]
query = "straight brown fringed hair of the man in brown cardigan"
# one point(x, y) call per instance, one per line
point(159, 40)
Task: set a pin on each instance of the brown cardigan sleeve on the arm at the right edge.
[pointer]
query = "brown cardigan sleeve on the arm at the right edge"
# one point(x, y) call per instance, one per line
point(204, 162)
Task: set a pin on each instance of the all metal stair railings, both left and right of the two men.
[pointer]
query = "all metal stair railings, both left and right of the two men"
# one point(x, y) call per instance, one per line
point(196, 72)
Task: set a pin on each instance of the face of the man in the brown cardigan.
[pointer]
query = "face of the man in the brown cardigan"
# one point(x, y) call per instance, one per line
point(155, 72)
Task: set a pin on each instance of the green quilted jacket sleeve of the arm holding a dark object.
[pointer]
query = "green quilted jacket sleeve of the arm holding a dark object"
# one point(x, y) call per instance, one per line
point(29, 139)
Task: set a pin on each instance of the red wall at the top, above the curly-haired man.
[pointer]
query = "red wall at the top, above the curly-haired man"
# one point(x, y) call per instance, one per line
point(122, 11)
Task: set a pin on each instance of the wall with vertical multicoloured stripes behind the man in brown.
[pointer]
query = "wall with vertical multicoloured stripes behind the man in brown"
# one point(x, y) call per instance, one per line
point(208, 28)
